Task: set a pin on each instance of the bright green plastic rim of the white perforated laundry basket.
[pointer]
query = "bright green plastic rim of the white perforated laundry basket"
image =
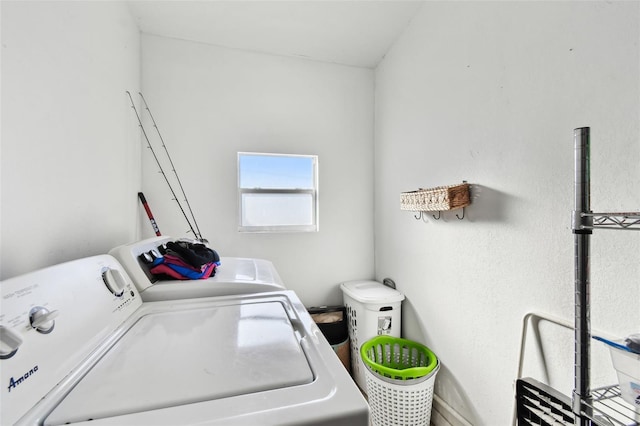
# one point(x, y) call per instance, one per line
point(403, 373)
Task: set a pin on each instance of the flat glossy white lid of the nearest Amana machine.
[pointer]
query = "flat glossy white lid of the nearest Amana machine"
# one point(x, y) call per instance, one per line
point(177, 357)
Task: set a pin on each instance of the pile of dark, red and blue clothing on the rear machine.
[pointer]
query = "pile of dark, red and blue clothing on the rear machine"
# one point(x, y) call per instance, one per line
point(183, 260)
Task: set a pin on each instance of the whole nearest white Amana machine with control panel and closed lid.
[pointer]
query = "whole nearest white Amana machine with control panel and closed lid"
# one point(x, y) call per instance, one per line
point(79, 346)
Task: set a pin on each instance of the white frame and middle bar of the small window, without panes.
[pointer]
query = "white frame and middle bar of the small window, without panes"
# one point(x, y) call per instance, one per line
point(313, 227)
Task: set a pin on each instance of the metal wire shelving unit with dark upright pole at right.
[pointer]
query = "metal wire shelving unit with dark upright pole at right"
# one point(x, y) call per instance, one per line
point(537, 403)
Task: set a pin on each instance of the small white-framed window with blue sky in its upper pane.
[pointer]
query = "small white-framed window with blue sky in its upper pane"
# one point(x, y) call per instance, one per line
point(277, 192)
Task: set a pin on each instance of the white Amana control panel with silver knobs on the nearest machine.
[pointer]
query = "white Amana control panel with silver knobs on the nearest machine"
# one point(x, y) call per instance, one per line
point(51, 320)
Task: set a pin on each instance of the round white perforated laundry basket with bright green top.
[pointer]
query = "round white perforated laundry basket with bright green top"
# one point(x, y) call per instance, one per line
point(400, 377)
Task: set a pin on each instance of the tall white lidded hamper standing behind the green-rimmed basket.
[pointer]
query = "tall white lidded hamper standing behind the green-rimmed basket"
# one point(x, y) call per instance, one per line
point(373, 309)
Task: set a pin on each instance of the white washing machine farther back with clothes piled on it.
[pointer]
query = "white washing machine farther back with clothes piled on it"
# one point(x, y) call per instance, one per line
point(235, 275)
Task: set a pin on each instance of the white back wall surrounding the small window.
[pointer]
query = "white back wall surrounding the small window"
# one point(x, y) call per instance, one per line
point(211, 102)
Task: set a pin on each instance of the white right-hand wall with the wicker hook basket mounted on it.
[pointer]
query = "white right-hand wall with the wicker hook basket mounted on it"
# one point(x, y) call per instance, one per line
point(490, 92)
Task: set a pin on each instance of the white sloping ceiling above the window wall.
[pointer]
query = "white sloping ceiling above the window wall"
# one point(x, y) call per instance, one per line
point(348, 32)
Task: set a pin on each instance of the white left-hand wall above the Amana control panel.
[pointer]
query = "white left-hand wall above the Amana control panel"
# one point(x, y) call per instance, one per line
point(70, 153)
